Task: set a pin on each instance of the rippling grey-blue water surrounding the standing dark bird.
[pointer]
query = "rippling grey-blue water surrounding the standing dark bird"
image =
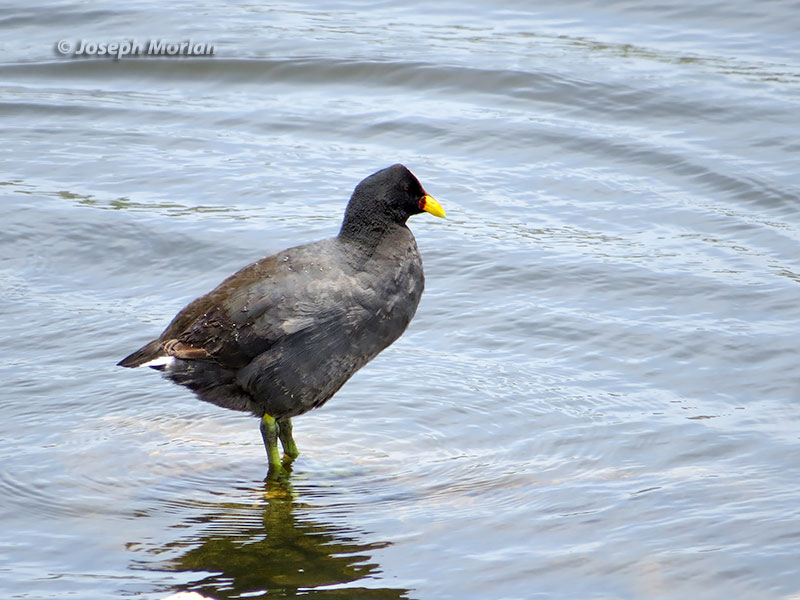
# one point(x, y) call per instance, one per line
point(598, 396)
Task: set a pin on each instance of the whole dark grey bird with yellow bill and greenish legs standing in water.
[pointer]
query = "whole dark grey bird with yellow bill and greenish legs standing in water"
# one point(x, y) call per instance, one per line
point(282, 335)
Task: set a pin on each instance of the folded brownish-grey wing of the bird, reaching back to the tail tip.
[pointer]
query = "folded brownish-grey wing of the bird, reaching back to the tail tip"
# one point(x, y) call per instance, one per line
point(280, 296)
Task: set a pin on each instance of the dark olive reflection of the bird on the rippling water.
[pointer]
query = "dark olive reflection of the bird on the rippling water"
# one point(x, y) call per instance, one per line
point(272, 545)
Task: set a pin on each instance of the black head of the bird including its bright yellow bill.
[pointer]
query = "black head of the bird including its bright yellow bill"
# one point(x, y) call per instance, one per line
point(385, 198)
